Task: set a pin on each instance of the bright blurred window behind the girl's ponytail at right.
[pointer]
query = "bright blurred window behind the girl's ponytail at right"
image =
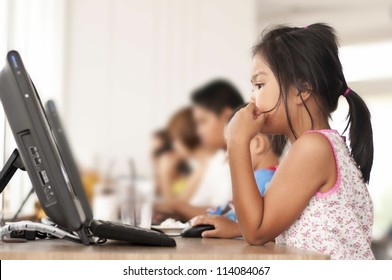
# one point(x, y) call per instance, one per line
point(371, 64)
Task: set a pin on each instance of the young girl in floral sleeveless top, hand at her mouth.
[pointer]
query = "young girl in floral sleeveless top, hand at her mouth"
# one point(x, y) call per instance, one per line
point(318, 198)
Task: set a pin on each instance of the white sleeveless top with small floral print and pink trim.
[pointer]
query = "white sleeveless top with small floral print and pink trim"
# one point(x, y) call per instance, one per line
point(337, 222)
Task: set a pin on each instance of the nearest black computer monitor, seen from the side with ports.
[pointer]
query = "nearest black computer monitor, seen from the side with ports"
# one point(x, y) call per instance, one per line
point(38, 148)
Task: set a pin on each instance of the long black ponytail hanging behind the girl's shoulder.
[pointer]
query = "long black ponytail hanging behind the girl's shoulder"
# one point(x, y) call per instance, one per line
point(360, 133)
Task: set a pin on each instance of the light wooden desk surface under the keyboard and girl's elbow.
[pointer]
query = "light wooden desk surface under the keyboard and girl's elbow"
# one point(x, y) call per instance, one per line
point(187, 248)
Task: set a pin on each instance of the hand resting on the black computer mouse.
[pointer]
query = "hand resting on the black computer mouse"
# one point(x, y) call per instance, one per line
point(224, 227)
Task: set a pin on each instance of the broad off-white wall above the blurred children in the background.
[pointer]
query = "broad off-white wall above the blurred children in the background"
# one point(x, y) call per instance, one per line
point(130, 64)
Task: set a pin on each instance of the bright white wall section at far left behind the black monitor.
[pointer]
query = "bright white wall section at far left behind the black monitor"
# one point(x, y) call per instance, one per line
point(35, 29)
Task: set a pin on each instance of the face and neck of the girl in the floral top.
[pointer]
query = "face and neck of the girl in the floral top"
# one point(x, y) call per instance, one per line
point(265, 95)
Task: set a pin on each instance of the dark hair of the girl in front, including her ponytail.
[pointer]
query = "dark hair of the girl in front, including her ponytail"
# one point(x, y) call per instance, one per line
point(307, 58)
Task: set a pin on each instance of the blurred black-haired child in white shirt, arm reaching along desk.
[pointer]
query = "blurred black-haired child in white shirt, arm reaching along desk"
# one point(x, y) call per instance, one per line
point(212, 106)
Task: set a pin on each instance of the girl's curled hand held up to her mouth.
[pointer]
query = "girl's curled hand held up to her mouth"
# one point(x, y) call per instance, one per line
point(245, 124)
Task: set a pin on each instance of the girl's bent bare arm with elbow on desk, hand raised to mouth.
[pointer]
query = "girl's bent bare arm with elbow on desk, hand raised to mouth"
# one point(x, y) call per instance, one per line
point(308, 166)
